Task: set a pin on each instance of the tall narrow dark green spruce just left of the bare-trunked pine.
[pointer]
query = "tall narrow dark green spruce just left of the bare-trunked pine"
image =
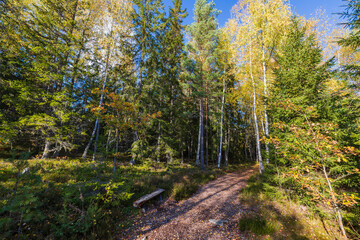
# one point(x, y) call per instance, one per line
point(170, 55)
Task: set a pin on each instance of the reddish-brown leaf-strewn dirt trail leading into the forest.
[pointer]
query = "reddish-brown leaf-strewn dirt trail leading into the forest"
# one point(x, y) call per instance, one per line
point(189, 219)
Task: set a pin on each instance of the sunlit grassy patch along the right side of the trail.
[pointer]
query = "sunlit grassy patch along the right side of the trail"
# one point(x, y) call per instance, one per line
point(274, 215)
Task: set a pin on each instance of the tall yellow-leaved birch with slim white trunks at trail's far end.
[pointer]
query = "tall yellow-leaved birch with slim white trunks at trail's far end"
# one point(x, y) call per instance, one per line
point(258, 28)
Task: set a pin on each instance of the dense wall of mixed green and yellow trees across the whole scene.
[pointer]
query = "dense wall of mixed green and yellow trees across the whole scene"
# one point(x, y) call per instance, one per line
point(116, 79)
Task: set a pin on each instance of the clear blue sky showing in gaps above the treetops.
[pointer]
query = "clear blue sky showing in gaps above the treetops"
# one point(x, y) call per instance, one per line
point(301, 7)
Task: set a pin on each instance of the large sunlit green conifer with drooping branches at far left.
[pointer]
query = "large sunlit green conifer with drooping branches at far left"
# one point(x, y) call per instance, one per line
point(48, 33)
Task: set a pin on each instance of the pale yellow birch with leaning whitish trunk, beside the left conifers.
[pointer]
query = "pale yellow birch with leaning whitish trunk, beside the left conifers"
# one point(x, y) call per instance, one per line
point(113, 24)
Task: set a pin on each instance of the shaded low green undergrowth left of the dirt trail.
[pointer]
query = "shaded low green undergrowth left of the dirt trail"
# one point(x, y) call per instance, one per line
point(83, 199)
